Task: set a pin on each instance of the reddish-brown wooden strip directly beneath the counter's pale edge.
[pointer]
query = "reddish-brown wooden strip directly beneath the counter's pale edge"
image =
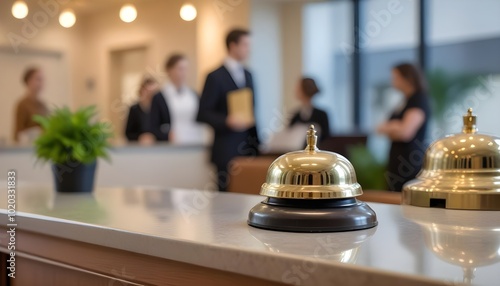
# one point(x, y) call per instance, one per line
point(129, 266)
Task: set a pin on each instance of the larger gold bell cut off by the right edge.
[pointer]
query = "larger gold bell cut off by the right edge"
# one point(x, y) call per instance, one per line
point(461, 171)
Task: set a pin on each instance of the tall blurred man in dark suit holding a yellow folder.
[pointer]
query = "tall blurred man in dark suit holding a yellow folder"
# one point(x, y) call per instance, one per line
point(233, 135)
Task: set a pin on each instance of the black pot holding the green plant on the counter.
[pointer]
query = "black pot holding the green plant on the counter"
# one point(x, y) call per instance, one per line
point(74, 177)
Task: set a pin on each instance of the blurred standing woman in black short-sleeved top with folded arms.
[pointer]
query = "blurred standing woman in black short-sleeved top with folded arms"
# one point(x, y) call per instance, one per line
point(407, 127)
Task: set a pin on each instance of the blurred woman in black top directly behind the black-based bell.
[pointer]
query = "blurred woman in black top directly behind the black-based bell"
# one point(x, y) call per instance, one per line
point(308, 114)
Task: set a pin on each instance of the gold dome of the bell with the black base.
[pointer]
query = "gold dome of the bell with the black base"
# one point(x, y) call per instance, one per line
point(311, 174)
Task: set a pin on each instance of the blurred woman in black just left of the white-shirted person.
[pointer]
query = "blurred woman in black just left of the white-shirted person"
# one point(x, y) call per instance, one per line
point(138, 121)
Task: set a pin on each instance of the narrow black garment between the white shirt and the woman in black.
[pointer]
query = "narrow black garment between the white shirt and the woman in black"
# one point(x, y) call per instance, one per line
point(160, 117)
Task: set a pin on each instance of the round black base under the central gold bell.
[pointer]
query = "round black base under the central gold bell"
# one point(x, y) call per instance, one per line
point(329, 215)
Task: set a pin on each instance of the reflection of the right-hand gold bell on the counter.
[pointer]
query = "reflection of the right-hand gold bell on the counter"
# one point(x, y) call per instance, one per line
point(472, 244)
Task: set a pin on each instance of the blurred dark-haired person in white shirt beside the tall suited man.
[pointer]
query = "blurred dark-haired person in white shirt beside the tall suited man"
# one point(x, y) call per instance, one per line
point(174, 108)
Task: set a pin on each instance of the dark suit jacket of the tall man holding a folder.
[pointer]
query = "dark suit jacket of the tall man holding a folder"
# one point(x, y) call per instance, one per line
point(213, 110)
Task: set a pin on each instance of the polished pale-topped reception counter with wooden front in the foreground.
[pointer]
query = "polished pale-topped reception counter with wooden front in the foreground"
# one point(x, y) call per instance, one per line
point(146, 236)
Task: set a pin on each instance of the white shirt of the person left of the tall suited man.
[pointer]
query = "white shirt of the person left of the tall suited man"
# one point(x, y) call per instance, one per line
point(183, 108)
